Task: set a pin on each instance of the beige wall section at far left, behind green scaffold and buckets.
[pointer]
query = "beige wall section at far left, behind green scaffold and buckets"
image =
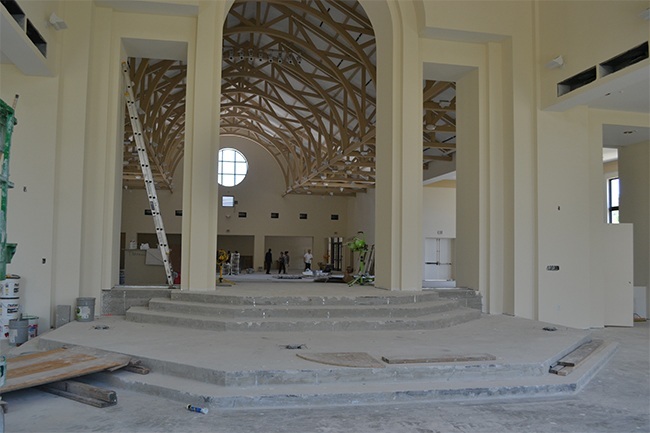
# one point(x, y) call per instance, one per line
point(30, 204)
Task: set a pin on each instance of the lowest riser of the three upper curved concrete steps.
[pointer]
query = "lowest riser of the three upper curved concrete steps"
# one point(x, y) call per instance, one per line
point(300, 326)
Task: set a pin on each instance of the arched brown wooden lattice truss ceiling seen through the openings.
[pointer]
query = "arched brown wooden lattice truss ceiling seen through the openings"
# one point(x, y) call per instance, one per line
point(298, 78)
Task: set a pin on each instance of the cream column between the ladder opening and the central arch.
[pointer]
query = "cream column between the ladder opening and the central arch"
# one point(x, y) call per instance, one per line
point(200, 195)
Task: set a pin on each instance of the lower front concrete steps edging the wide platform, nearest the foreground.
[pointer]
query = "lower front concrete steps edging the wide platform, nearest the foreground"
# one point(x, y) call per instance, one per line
point(340, 386)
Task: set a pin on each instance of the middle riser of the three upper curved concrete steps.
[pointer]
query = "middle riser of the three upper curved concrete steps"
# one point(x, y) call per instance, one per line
point(322, 312)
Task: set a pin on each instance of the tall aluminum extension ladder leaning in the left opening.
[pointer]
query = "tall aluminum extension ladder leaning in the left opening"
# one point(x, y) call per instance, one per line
point(146, 172)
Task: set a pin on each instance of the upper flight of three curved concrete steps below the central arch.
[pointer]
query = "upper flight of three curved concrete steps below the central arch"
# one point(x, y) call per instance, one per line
point(213, 311)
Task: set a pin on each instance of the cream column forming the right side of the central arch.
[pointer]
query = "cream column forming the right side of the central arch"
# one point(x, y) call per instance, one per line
point(398, 207)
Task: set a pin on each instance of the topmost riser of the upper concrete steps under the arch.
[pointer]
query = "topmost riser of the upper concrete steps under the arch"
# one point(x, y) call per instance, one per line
point(302, 301)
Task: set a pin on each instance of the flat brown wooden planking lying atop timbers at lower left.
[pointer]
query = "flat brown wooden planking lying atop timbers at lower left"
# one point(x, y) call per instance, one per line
point(40, 368)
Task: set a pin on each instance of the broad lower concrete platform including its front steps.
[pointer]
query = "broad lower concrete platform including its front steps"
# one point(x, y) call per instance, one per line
point(263, 369)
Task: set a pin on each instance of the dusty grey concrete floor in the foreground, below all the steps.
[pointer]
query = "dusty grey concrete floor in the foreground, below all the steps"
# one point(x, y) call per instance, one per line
point(616, 400)
